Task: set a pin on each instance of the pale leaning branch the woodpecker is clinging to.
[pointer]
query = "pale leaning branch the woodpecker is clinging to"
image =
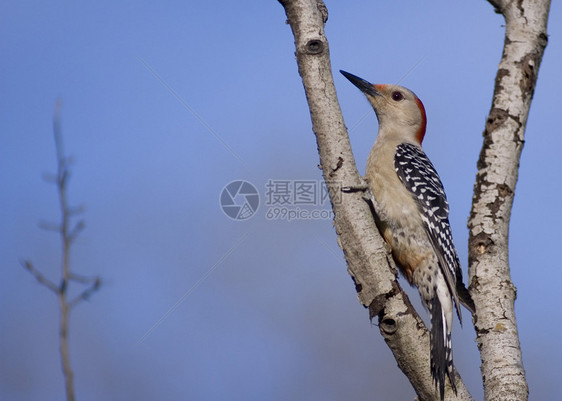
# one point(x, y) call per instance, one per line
point(369, 263)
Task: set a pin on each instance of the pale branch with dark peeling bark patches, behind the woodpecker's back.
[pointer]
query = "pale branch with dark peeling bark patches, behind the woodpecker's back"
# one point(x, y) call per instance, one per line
point(491, 286)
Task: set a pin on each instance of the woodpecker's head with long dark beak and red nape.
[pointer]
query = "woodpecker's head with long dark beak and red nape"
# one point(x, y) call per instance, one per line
point(398, 109)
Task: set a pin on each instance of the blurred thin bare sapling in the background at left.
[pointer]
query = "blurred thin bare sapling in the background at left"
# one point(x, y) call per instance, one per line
point(68, 233)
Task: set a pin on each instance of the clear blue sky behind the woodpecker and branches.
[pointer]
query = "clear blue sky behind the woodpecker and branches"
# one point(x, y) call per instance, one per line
point(278, 317)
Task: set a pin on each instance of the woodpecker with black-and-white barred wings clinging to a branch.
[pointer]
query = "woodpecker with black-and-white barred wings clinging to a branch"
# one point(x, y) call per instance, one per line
point(412, 214)
